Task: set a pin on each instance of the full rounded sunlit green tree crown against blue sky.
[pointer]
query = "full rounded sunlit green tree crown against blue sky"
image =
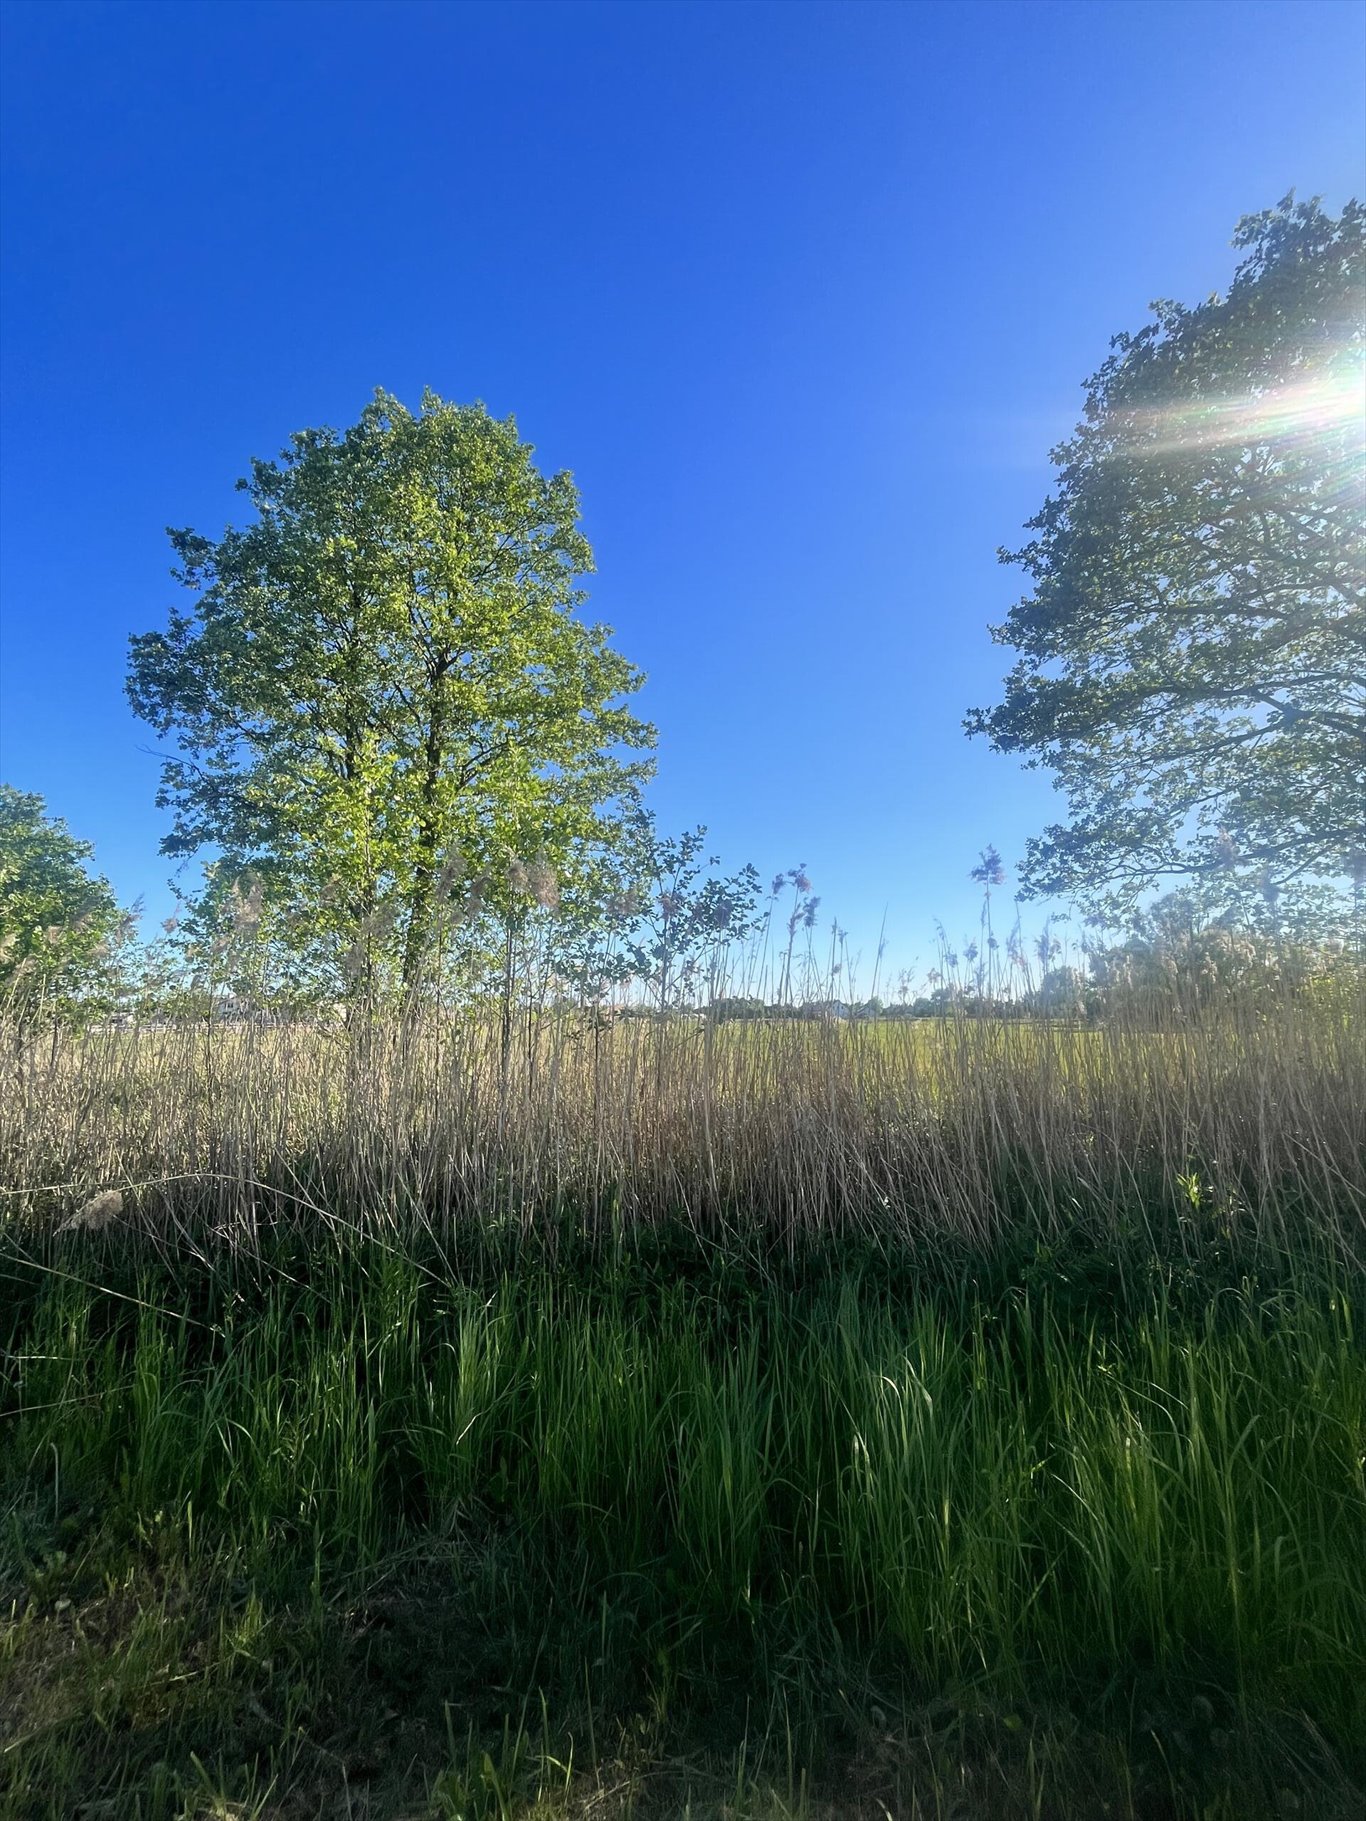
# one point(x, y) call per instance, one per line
point(383, 687)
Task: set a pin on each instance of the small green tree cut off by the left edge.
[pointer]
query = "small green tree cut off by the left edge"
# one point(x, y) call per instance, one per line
point(59, 926)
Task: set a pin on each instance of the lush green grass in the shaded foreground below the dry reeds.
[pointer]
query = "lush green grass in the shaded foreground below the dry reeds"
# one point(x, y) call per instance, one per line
point(749, 1534)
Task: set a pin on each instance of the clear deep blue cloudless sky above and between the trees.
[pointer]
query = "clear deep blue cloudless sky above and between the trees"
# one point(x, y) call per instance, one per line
point(802, 294)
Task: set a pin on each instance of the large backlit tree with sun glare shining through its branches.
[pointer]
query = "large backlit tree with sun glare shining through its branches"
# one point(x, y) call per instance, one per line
point(1194, 646)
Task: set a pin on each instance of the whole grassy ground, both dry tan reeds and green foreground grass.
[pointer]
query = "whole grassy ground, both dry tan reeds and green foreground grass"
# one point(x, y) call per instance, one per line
point(751, 1421)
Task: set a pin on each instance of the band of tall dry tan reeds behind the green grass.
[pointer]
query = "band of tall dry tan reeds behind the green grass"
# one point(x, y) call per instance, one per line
point(1252, 1123)
